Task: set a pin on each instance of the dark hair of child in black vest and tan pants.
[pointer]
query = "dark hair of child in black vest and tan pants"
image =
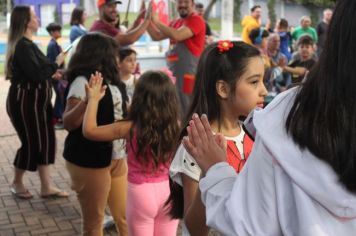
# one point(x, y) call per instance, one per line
point(89, 57)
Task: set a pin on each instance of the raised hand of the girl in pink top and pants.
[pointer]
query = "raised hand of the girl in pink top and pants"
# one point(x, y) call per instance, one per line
point(94, 89)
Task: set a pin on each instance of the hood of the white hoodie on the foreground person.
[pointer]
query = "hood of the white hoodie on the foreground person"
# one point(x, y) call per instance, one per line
point(314, 176)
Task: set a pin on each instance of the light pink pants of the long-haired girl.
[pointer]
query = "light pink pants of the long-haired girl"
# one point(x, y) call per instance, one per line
point(146, 213)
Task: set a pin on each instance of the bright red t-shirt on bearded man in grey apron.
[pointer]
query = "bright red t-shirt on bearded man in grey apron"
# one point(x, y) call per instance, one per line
point(196, 24)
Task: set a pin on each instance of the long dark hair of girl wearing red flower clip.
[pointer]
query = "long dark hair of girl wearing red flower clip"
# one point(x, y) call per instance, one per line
point(213, 66)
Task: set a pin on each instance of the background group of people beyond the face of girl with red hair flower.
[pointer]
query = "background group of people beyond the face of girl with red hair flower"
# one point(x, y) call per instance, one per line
point(288, 53)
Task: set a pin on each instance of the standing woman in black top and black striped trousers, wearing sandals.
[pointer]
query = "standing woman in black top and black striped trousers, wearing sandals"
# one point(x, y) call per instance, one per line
point(28, 103)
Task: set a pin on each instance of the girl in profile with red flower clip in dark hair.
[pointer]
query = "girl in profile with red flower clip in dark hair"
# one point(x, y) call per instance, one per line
point(229, 84)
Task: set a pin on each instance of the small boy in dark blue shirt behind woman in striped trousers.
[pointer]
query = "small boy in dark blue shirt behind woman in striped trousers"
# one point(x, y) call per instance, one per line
point(53, 50)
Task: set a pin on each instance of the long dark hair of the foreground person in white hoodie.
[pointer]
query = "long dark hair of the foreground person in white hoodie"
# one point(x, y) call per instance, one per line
point(322, 118)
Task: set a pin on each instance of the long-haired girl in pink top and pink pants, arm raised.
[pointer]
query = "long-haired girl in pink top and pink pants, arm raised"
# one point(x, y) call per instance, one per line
point(151, 131)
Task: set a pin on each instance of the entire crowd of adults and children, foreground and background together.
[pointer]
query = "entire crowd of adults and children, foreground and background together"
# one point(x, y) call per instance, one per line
point(206, 140)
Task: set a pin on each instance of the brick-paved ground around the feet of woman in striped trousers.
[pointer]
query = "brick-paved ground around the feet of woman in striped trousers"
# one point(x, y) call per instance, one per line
point(36, 216)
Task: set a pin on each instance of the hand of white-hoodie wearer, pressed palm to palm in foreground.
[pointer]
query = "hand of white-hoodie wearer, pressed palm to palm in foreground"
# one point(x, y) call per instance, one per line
point(206, 148)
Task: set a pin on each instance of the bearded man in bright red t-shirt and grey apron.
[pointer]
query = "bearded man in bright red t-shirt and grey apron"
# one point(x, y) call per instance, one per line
point(187, 41)
